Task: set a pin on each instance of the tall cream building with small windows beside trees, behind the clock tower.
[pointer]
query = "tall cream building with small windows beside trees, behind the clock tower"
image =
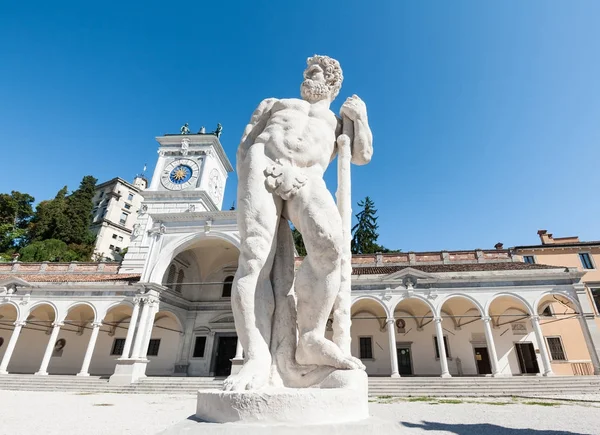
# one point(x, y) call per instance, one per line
point(116, 206)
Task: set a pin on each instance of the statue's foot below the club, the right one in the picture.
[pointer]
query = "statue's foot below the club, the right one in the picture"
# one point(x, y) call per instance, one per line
point(320, 351)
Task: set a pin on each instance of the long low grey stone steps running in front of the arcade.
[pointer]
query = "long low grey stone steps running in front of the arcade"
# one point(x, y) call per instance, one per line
point(401, 387)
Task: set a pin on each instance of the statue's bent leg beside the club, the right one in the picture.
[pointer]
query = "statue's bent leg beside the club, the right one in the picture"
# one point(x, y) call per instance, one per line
point(314, 213)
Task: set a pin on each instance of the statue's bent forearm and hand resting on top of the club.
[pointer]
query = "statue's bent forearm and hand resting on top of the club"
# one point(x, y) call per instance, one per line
point(362, 146)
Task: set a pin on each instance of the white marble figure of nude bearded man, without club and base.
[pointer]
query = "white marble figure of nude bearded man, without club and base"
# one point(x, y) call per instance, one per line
point(283, 154)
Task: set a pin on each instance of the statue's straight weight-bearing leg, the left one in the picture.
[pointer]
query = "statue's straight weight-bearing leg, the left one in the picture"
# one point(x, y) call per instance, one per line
point(252, 299)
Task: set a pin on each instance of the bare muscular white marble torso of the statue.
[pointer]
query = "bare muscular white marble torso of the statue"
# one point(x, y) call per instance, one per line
point(300, 134)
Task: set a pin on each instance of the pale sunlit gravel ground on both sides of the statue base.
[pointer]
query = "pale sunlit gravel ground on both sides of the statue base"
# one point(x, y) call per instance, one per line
point(49, 413)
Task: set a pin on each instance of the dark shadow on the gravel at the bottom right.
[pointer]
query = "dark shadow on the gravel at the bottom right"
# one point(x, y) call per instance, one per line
point(481, 428)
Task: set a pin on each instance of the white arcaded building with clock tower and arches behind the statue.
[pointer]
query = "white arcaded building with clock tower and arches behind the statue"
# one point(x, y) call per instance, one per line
point(166, 310)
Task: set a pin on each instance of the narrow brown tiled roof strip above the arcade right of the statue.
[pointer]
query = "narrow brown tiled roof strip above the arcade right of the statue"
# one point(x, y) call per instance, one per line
point(439, 268)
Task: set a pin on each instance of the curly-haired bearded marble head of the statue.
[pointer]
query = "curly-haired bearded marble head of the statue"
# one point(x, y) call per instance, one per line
point(322, 79)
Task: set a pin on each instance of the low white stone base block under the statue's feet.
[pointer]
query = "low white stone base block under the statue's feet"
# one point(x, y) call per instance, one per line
point(348, 402)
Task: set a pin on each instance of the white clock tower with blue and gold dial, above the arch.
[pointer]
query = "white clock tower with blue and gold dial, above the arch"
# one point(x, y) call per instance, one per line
point(188, 183)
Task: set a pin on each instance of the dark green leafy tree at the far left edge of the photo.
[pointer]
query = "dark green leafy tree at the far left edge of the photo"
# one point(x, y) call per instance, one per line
point(15, 214)
